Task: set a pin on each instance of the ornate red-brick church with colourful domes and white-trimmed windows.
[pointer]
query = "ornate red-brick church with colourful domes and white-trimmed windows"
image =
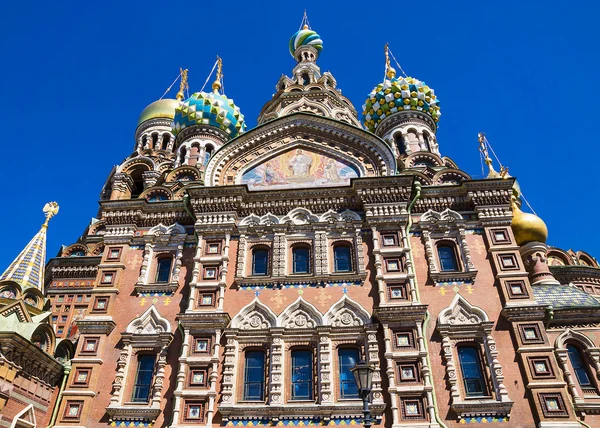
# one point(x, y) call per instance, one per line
point(235, 277)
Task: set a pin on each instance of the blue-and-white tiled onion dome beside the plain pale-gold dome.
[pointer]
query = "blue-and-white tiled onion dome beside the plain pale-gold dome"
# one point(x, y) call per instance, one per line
point(214, 109)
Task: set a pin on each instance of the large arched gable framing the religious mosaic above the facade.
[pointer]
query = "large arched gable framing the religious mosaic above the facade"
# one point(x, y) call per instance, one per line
point(337, 152)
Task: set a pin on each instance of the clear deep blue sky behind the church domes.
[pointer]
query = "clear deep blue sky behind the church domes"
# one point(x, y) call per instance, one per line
point(76, 75)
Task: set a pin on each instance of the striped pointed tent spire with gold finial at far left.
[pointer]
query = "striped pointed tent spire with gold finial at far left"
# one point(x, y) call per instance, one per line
point(28, 268)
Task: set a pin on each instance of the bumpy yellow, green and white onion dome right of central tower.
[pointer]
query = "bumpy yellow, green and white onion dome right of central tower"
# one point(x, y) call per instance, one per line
point(394, 95)
